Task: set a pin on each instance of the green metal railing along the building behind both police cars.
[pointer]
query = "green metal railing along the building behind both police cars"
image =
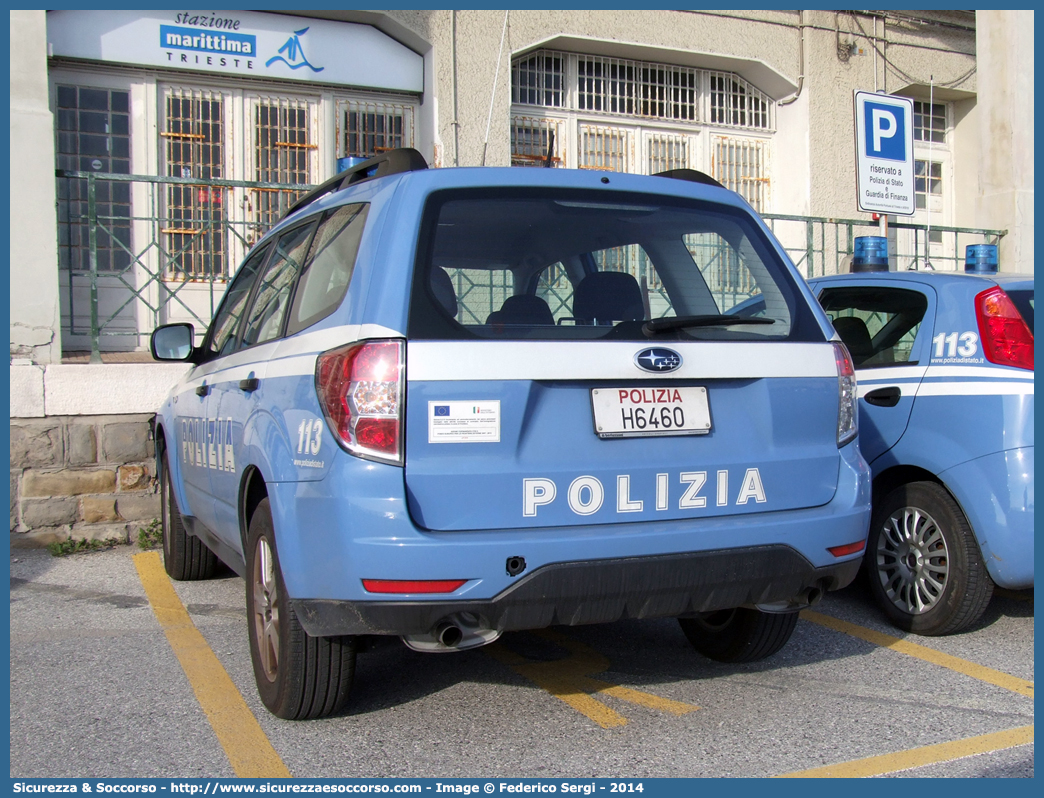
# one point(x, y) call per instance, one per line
point(138, 251)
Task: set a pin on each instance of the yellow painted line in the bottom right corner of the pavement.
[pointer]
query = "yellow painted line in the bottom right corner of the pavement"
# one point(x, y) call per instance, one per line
point(919, 758)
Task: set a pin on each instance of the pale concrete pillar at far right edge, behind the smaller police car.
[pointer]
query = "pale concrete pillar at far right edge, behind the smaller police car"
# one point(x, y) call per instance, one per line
point(1007, 130)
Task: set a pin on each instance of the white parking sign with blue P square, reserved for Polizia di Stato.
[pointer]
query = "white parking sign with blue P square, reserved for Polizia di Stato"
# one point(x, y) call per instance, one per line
point(885, 154)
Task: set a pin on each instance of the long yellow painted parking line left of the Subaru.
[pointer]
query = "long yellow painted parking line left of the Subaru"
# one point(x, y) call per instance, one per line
point(249, 750)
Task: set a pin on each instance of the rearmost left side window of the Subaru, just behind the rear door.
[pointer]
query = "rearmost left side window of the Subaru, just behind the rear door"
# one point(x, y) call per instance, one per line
point(329, 269)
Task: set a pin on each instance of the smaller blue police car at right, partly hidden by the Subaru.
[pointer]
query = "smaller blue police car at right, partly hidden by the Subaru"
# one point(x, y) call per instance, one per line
point(945, 366)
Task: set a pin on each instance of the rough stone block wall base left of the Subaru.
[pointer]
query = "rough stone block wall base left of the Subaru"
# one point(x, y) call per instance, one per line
point(82, 477)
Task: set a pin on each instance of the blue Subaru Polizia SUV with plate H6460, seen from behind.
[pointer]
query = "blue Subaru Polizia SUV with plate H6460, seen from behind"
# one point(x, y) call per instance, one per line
point(447, 404)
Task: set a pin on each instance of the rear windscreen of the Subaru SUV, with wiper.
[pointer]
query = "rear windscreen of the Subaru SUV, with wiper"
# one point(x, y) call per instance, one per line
point(545, 265)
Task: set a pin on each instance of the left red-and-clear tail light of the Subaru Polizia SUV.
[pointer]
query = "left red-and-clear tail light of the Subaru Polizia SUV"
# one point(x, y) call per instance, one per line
point(361, 391)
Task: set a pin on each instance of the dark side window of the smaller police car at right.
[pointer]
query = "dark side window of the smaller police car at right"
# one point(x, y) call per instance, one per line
point(879, 325)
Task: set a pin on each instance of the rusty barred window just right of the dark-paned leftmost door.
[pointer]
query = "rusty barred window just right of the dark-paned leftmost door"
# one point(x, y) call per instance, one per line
point(195, 226)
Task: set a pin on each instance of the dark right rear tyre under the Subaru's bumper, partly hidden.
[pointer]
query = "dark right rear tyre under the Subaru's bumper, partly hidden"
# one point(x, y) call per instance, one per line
point(740, 636)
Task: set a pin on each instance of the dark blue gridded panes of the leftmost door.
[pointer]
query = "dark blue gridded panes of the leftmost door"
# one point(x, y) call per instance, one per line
point(93, 134)
